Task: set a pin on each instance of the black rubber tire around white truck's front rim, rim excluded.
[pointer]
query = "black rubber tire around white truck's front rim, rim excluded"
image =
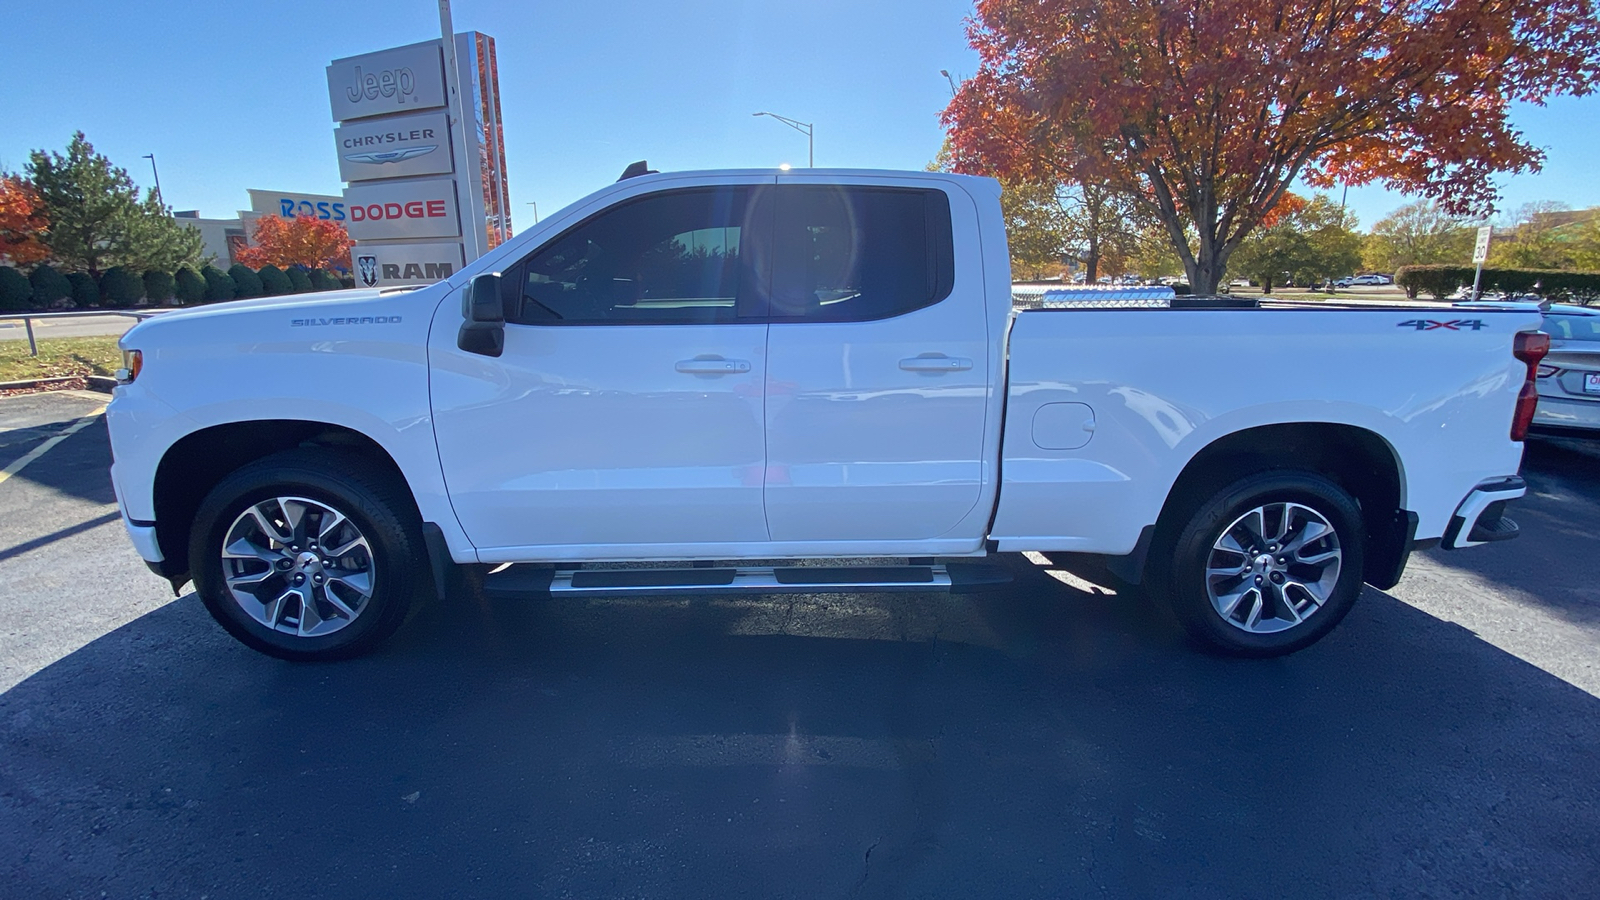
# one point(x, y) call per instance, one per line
point(383, 513)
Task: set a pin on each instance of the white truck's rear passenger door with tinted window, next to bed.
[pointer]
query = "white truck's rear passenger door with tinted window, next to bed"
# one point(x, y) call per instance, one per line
point(876, 366)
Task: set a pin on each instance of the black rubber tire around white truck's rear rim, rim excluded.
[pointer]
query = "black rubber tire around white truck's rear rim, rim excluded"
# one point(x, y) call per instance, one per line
point(1182, 571)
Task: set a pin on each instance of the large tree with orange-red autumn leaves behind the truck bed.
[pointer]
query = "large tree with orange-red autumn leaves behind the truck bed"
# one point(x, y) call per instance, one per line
point(1207, 111)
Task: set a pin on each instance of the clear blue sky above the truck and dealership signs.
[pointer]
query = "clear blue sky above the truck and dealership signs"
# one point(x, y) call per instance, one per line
point(233, 95)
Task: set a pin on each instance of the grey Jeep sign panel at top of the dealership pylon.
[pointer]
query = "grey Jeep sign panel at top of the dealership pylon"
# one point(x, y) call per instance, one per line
point(390, 81)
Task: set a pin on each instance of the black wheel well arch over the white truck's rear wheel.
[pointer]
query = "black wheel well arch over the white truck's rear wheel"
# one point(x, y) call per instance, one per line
point(1359, 460)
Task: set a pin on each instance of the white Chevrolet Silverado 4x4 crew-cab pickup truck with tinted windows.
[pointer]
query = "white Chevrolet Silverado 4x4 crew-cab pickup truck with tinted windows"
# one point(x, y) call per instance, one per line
point(735, 376)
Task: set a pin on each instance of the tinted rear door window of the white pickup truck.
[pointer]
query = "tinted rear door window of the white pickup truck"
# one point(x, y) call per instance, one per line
point(857, 254)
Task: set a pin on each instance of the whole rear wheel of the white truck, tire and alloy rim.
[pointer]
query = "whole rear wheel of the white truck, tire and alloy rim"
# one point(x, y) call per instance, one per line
point(1268, 565)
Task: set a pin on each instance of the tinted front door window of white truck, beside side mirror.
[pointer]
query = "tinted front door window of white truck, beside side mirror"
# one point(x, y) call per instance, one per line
point(663, 259)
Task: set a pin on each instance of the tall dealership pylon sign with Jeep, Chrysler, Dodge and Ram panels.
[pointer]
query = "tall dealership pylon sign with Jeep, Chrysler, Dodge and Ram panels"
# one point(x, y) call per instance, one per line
point(423, 198)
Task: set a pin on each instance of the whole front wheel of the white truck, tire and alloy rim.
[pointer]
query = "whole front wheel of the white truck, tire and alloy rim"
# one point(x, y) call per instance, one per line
point(308, 555)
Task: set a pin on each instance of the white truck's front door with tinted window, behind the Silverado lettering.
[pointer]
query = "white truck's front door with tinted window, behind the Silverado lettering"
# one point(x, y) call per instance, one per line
point(626, 411)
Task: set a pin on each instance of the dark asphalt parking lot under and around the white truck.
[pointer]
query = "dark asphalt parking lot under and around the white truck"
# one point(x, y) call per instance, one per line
point(1046, 741)
